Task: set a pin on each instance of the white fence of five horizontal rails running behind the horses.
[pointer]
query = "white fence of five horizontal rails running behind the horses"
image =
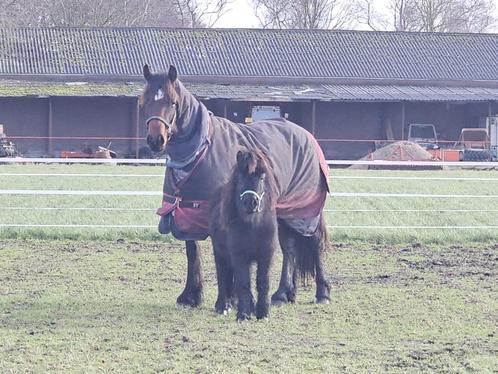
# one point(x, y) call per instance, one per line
point(342, 195)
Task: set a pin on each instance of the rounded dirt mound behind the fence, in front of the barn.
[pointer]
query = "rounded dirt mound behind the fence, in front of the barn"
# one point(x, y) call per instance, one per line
point(399, 151)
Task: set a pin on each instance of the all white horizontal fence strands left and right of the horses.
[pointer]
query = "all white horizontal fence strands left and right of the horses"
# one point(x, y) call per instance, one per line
point(333, 194)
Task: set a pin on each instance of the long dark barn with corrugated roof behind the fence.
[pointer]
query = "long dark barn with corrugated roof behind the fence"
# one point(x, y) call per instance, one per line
point(70, 88)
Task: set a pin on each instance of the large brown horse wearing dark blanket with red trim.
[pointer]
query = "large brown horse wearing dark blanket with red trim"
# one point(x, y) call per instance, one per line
point(200, 156)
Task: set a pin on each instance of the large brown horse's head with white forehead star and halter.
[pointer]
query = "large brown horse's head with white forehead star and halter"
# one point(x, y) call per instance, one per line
point(160, 103)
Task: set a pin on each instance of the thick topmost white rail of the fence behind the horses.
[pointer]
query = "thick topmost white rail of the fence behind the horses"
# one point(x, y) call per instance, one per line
point(23, 160)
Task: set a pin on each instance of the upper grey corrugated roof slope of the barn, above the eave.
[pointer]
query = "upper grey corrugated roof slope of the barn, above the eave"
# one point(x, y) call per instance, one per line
point(229, 53)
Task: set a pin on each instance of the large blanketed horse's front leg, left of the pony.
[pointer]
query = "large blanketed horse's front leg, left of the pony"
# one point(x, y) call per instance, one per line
point(192, 294)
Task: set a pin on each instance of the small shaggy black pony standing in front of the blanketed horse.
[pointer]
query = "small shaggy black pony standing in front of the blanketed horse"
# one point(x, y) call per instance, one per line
point(243, 226)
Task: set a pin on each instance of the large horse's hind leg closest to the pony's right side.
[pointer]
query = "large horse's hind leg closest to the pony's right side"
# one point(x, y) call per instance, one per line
point(286, 291)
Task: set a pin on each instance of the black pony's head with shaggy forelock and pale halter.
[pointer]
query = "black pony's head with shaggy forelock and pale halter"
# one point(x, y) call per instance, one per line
point(254, 182)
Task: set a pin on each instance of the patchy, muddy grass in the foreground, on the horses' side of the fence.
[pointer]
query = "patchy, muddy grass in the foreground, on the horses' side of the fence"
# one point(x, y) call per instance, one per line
point(89, 306)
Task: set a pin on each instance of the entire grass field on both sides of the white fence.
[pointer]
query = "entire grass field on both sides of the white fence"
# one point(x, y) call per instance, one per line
point(103, 299)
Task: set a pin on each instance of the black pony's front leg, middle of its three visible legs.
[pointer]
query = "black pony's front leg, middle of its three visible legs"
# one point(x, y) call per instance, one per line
point(242, 277)
